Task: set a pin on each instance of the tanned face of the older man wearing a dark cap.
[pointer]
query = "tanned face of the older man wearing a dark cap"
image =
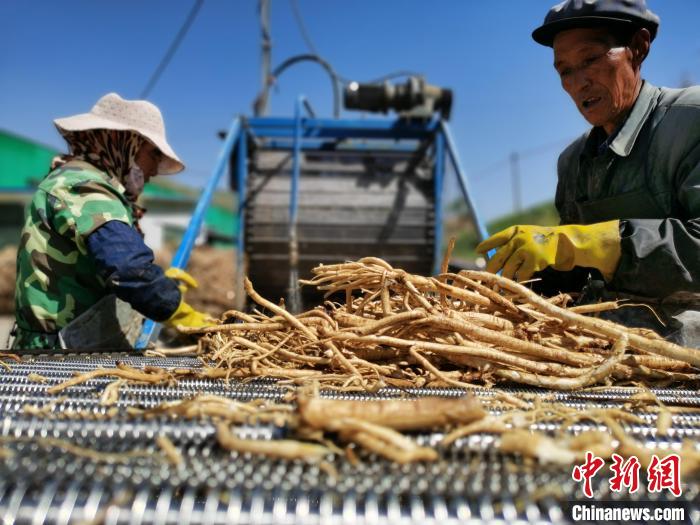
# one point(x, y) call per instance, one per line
point(601, 79)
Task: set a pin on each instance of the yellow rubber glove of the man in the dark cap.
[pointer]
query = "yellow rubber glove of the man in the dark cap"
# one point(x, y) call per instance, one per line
point(524, 250)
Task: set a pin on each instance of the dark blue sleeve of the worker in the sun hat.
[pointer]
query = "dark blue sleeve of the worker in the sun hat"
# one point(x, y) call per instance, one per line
point(126, 264)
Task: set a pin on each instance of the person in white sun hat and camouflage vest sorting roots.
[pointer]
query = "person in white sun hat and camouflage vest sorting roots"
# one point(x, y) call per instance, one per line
point(80, 246)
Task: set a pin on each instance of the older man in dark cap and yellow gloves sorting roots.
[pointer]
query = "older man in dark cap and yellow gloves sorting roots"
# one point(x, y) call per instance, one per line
point(628, 190)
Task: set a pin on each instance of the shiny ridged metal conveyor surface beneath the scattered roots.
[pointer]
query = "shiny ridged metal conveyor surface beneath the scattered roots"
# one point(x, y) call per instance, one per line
point(472, 482)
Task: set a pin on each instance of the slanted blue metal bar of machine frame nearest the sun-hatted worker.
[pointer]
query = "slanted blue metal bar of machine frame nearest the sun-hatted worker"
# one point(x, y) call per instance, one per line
point(150, 327)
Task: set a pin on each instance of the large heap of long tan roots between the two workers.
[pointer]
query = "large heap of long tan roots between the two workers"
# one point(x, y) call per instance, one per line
point(454, 329)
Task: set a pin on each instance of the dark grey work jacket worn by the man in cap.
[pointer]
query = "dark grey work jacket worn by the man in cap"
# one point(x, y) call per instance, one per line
point(648, 176)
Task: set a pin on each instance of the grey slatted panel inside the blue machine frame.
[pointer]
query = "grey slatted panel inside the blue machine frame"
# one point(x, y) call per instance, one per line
point(351, 204)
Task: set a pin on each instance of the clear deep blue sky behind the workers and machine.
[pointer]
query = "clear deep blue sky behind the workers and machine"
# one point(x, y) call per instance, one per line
point(58, 58)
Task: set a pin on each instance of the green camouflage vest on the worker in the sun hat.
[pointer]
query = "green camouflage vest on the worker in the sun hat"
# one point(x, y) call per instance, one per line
point(56, 277)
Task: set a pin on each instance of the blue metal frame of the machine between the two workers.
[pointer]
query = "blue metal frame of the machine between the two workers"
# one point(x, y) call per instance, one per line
point(305, 132)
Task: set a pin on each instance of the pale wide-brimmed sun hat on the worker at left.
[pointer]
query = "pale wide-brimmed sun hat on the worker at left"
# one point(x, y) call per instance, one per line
point(113, 112)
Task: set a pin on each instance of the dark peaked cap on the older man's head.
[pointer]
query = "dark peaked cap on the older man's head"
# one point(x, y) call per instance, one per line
point(591, 13)
